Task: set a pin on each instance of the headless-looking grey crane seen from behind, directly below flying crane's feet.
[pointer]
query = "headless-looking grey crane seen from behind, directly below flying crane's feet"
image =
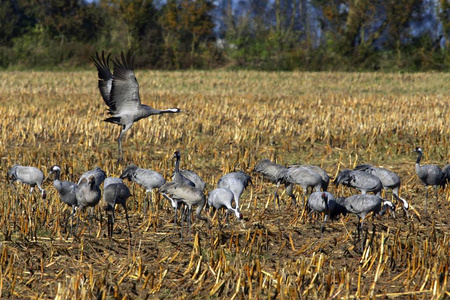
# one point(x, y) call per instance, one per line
point(113, 194)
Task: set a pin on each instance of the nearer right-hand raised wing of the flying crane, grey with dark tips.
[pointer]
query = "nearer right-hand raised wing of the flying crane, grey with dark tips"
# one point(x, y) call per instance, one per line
point(125, 88)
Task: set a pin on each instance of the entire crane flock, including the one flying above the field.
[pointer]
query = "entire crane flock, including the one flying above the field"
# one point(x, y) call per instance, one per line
point(187, 190)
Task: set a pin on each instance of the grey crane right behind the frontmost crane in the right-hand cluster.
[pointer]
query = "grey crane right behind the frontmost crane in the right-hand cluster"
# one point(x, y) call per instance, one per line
point(360, 180)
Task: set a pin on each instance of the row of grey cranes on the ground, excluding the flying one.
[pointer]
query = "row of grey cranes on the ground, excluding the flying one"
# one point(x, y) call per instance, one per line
point(187, 189)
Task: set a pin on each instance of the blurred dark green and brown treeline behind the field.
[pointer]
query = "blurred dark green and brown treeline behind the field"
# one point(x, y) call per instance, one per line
point(260, 34)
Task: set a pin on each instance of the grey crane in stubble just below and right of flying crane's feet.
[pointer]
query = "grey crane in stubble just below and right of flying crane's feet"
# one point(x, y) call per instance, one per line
point(147, 178)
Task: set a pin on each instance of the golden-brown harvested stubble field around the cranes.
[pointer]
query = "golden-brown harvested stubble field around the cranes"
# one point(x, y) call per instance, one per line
point(333, 120)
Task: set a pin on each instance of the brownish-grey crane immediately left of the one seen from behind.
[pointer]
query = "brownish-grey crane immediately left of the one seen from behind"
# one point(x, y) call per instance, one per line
point(88, 194)
